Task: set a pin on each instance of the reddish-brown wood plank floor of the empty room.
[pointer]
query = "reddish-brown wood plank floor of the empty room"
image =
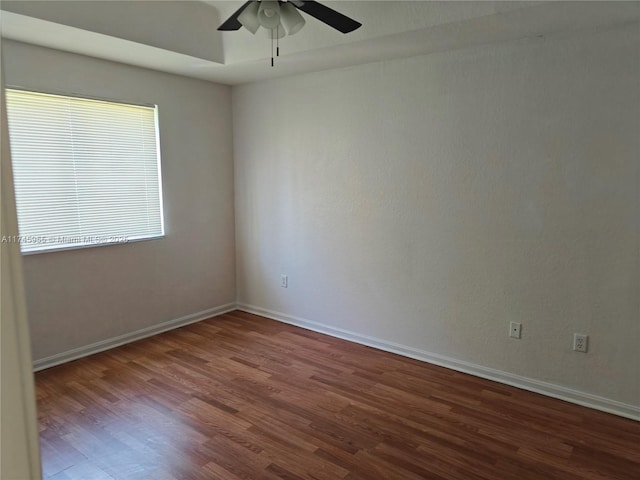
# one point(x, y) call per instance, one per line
point(243, 397)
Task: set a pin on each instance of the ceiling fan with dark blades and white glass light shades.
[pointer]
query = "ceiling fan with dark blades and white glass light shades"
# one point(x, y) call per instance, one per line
point(282, 17)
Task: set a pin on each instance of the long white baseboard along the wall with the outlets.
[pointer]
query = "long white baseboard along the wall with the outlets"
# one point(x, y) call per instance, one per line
point(537, 386)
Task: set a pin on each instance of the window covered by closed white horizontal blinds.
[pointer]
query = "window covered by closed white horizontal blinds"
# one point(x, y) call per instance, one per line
point(86, 172)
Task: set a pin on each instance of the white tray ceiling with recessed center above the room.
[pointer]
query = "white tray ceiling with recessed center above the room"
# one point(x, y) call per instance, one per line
point(181, 37)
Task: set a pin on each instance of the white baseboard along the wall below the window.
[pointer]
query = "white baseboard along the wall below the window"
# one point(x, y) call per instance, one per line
point(109, 343)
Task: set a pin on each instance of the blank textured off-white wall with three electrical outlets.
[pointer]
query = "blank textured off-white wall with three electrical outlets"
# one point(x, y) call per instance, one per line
point(429, 201)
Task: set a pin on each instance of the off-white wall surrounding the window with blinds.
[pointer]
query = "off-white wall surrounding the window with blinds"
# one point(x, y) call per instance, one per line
point(82, 297)
